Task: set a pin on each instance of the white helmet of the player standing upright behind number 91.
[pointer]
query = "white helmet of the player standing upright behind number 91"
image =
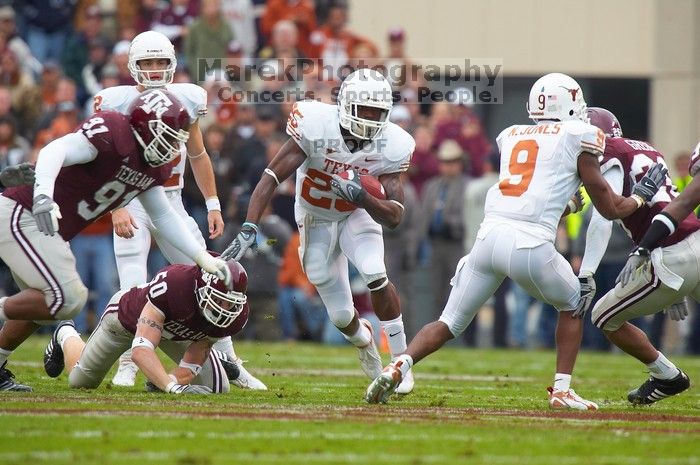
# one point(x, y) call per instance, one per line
point(149, 45)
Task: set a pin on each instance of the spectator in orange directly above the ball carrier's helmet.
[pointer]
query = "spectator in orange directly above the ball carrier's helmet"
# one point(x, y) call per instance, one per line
point(334, 43)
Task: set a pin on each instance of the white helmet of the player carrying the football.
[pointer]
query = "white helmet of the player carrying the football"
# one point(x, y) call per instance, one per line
point(364, 88)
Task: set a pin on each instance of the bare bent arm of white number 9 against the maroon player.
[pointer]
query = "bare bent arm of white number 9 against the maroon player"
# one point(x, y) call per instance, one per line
point(610, 205)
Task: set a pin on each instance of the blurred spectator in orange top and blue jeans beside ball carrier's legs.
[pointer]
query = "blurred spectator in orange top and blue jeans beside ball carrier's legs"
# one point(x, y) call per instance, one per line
point(298, 302)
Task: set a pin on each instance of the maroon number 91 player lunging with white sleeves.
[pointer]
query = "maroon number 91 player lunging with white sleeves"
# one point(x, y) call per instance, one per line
point(111, 159)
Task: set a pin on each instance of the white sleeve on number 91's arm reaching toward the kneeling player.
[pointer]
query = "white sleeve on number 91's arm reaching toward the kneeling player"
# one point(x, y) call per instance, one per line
point(168, 222)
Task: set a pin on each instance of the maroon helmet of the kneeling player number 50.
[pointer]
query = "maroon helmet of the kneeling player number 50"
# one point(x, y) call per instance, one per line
point(222, 301)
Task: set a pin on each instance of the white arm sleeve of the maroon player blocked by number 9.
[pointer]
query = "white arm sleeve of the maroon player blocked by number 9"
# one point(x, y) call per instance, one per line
point(600, 229)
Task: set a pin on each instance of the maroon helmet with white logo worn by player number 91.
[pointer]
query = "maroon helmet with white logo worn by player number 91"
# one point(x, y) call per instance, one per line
point(160, 124)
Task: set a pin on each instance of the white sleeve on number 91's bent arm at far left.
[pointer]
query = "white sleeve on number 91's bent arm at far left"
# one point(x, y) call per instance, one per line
point(71, 149)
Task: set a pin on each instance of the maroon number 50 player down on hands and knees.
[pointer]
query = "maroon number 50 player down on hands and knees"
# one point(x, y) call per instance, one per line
point(164, 313)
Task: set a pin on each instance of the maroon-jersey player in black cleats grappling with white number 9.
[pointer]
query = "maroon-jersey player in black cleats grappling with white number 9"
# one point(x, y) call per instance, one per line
point(667, 276)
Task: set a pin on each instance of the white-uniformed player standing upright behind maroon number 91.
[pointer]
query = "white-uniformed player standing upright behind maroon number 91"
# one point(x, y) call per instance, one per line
point(152, 64)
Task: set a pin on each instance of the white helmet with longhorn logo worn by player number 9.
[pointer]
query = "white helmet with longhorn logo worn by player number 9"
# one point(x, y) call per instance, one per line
point(556, 96)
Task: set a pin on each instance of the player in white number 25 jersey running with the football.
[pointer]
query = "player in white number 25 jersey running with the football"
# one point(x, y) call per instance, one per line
point(337, 219)
